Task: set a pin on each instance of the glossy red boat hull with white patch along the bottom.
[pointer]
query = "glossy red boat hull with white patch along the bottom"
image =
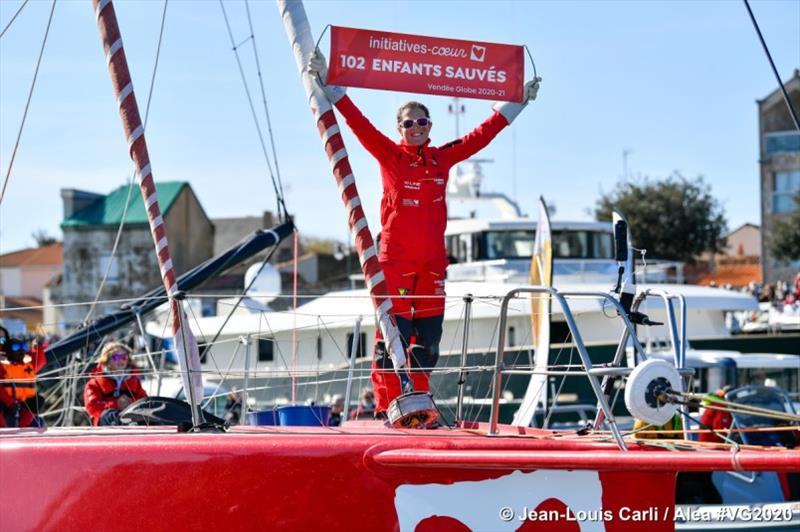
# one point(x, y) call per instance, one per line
point(357, 477)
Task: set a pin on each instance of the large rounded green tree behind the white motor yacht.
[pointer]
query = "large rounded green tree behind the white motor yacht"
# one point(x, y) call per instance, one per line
point(674, 218)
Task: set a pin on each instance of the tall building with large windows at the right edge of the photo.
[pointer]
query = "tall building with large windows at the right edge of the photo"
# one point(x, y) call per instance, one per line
point(779, 143)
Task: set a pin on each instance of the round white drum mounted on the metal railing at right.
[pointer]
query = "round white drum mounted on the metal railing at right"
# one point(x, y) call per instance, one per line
point(645, 384)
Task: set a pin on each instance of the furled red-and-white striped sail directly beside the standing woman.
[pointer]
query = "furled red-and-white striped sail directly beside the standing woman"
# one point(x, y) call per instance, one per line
point(298, 31)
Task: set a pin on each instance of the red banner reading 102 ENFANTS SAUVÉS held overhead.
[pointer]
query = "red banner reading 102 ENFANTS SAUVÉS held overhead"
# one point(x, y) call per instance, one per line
point(429, 65)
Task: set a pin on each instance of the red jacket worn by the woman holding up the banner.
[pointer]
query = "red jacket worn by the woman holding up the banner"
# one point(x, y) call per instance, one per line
point(413, 207)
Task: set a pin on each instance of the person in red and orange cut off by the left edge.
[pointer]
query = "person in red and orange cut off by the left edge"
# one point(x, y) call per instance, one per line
point(20, 361)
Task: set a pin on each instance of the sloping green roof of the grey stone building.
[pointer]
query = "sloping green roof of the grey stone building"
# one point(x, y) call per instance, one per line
point(108, 210)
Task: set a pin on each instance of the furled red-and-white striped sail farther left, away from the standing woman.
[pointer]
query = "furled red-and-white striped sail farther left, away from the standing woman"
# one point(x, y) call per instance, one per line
point(134, 132)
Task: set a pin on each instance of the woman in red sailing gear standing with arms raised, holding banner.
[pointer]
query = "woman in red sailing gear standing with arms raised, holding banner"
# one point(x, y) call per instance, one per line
point(412, 253)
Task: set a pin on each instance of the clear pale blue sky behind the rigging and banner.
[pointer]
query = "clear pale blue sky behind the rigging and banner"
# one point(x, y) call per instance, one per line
point(674, 82)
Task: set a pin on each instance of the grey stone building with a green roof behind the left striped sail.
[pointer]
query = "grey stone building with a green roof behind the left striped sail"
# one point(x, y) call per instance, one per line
point(90, 226)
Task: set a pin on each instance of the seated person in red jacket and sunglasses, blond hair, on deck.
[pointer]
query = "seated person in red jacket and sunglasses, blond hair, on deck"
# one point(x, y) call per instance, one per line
point(114, 384)
